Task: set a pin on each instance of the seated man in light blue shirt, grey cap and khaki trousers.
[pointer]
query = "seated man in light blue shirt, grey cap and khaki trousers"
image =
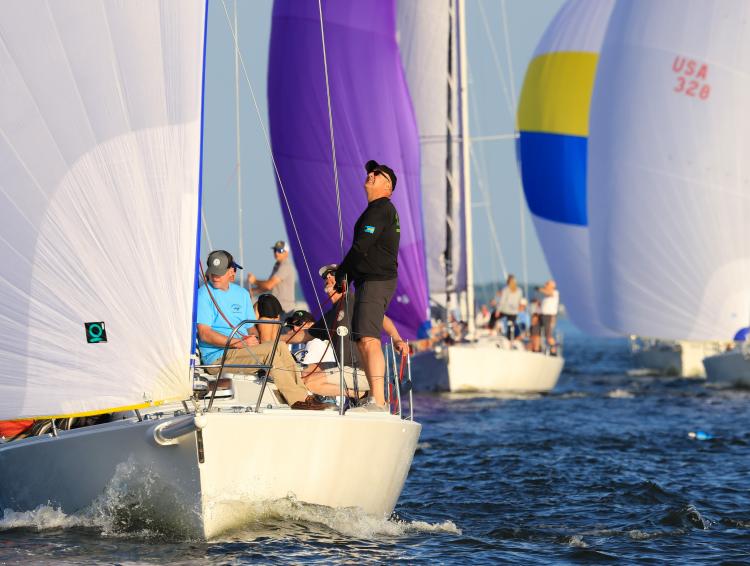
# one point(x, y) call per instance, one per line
point(221, 306)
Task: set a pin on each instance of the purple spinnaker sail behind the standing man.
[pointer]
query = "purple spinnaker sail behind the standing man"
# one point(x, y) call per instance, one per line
point(372, 119)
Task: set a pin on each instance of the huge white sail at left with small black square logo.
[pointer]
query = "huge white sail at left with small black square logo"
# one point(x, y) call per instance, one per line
point(100, 110)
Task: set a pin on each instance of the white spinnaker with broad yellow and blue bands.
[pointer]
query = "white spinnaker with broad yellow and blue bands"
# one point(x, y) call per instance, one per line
point(553, 123)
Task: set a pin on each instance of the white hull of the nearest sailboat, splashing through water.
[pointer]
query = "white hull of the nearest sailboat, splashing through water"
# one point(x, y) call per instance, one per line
point(358, 460)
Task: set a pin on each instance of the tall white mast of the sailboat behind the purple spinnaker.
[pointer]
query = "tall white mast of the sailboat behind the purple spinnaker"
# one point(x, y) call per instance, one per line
point(466, 163)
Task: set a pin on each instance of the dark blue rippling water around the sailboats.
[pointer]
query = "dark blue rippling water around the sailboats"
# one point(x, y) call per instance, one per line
point(601, 470)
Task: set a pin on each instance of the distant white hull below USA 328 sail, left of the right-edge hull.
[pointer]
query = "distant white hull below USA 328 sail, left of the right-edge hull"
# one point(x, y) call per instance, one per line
point(679, 357)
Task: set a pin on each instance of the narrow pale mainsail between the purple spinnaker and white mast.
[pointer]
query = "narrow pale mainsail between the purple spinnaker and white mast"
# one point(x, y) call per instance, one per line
point(424, 29)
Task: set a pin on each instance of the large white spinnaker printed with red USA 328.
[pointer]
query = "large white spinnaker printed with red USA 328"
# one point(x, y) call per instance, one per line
point(669, 154)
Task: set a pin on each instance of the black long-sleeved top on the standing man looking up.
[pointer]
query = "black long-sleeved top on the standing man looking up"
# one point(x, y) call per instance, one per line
point(374, 252)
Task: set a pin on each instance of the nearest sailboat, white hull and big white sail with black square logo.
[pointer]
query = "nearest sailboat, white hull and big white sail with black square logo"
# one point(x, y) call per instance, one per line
point(100, 155)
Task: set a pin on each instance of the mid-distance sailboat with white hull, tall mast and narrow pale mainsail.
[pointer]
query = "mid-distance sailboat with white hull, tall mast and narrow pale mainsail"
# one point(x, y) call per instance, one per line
point(434, 53)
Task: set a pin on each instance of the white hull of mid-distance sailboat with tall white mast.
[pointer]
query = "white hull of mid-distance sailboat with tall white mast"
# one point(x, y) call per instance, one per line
point(482, 366)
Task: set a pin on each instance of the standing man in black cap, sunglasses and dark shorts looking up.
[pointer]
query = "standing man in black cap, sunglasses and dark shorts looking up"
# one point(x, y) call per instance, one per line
point(372, 265)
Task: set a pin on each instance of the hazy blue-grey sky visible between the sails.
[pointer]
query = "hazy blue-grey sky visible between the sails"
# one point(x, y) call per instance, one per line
point(490, 115)
